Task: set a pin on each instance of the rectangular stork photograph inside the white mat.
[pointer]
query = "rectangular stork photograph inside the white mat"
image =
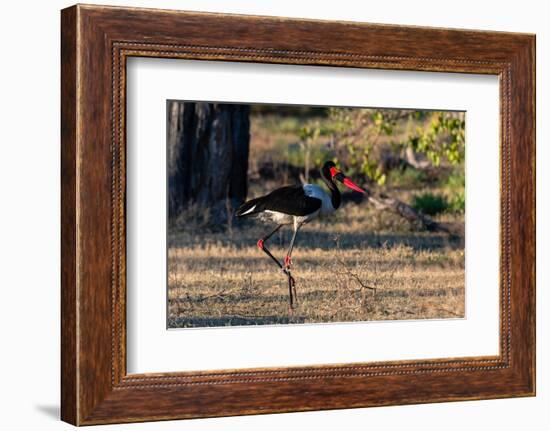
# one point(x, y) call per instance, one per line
point(295, 214)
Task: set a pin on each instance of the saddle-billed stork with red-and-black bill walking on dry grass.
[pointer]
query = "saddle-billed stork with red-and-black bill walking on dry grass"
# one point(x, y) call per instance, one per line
point(296, 205)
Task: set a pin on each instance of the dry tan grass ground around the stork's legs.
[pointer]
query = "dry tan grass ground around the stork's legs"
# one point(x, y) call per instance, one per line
point(360, 265)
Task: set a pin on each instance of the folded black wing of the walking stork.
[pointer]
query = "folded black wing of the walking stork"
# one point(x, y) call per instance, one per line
point(290, 200)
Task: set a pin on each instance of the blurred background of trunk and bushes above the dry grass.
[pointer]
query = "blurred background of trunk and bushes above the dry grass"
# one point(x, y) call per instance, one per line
point(221, 152)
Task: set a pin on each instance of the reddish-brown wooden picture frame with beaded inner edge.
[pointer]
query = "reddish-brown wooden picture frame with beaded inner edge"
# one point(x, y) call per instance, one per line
point(95, 43)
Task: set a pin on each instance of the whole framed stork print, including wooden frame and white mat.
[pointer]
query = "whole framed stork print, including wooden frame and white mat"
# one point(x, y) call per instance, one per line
point(265, 215)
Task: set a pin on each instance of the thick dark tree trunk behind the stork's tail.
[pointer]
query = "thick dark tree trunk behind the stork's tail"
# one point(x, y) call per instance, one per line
point(208, 145)
